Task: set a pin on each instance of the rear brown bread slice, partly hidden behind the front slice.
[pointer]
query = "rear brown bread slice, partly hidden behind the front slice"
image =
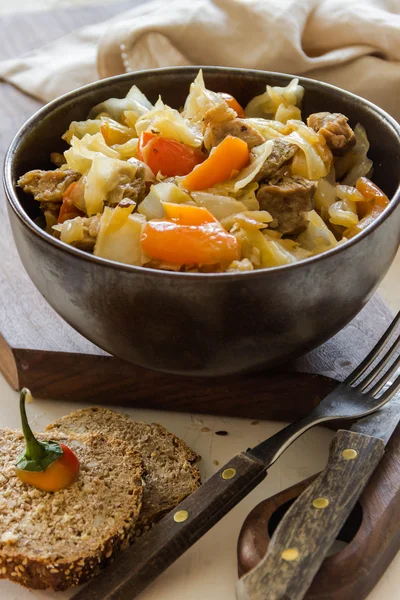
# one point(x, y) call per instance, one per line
point(170, 472)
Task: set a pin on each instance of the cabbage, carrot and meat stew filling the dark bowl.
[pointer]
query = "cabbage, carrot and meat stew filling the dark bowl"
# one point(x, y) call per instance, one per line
point(212, 187)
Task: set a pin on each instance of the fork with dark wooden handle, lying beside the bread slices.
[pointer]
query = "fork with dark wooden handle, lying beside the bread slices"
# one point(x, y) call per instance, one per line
point(358, 396)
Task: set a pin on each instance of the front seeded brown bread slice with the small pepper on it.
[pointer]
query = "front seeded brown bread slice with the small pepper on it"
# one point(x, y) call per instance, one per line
point(58, 539)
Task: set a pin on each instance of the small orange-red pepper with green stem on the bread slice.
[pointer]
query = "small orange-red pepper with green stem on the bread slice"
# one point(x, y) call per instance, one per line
point(49, 466)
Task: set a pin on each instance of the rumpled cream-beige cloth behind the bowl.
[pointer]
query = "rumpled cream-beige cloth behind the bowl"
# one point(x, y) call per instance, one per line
point(354, 45)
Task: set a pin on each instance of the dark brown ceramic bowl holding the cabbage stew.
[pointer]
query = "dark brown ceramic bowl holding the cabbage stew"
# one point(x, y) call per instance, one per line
point(204, 324)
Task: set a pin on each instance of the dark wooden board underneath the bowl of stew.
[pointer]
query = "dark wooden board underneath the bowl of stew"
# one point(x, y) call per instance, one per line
point(39, 350)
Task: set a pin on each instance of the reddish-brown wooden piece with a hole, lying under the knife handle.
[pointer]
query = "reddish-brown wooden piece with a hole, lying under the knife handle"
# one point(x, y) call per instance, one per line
point(372, 533)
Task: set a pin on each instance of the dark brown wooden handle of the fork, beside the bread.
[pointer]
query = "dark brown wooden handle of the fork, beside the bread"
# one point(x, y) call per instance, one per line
point(152, 554)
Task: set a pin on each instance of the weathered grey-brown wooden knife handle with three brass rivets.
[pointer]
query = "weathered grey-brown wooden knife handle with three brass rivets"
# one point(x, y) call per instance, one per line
point(311, 525)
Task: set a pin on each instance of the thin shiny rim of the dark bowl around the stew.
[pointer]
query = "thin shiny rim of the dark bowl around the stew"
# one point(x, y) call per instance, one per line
point(27, 126)
